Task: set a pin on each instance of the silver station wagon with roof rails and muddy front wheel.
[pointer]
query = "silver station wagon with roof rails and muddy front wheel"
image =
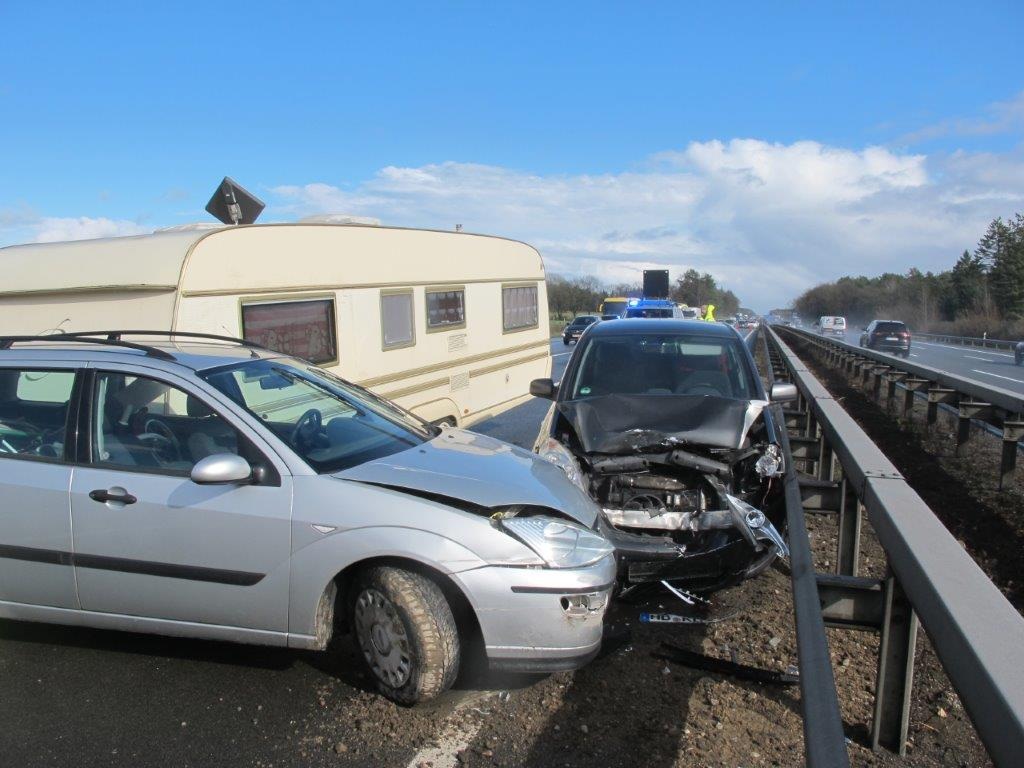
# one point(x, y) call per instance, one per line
point(205, 487)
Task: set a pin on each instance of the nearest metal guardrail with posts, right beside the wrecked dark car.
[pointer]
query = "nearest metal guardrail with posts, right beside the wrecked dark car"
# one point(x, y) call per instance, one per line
point(977, 634)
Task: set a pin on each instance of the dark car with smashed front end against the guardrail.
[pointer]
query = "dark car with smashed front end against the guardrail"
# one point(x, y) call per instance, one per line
point(664, 423)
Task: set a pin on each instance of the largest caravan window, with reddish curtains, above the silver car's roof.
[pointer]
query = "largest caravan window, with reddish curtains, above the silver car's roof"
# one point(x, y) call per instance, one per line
point(302, 329)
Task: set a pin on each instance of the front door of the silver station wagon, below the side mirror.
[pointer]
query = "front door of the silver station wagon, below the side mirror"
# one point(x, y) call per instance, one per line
point(149, 542)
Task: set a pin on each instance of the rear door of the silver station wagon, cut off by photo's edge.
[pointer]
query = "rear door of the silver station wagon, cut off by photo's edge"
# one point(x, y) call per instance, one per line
point(36, 407)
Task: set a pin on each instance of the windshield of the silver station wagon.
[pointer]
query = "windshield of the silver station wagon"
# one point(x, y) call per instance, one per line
point(331, 424)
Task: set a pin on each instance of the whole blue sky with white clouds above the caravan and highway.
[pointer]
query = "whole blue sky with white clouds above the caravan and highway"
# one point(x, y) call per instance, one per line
point(611, 136)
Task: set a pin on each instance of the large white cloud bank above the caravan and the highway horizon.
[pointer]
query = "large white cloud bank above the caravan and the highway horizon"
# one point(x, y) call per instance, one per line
point(769, 221)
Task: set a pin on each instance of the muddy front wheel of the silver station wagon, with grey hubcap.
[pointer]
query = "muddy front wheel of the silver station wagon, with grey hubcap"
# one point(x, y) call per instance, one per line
point(406, 633)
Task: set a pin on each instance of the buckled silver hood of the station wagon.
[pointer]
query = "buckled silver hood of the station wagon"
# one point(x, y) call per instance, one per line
point(481, 471)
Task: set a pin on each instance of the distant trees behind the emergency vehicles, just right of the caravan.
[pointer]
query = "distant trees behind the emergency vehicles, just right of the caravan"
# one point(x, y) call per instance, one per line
point(575, 295)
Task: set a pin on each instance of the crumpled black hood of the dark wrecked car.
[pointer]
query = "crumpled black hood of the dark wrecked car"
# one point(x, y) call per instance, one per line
point(625, 424)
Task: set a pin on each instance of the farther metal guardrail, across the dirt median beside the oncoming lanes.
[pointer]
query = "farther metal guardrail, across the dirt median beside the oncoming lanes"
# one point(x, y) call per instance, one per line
point(974, 400)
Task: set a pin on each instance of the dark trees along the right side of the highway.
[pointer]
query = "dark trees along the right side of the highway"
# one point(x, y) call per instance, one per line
point(984, 292)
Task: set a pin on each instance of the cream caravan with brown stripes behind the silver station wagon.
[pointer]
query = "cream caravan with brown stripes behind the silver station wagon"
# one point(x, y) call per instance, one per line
point(452, 326)
